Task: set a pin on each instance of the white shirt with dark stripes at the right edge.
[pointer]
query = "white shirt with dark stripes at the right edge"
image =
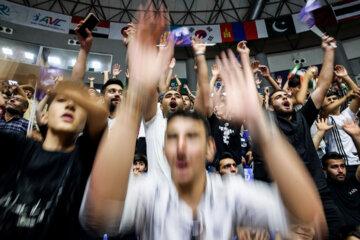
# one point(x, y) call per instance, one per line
point(337, 140)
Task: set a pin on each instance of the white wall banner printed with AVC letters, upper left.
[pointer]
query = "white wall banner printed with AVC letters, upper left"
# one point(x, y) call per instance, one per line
point(48, 20)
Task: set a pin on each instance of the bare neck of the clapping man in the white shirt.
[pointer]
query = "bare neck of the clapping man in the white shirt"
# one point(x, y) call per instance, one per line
point(192, 193)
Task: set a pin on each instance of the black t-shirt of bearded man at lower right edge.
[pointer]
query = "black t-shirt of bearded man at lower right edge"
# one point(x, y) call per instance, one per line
point(347, 197)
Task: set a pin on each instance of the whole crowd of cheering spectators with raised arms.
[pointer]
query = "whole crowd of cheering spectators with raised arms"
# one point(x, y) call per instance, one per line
point(144, 159)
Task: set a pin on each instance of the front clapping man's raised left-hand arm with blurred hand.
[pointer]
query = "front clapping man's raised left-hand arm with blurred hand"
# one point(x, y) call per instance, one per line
point(110, 175)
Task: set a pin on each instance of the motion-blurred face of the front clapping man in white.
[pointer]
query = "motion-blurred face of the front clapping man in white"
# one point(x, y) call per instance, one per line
point(185, 149)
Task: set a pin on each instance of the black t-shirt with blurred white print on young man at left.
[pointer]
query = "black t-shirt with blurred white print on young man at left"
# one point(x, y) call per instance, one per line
point(41, 191)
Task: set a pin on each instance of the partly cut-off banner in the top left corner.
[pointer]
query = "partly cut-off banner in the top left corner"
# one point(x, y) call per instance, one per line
point(12, 12)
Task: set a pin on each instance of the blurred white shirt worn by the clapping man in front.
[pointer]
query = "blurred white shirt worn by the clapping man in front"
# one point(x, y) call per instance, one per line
point(154, 209)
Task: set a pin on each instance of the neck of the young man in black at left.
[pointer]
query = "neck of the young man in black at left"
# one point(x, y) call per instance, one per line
point(59, 141)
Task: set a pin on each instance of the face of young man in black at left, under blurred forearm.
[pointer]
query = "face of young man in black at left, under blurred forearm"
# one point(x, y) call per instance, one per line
point(65, 116)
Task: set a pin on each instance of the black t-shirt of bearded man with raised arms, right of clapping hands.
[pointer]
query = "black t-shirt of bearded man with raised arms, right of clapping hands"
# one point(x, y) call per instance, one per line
point(297, 131)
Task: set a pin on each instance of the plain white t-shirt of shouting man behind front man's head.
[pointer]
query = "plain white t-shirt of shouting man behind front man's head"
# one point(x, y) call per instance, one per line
point(155, 137)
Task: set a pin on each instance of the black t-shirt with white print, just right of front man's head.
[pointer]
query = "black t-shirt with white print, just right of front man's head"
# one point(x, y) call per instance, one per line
point(227, 138)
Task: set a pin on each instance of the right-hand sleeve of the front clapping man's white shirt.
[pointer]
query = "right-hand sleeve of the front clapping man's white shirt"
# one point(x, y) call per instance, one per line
point(258, 204)
